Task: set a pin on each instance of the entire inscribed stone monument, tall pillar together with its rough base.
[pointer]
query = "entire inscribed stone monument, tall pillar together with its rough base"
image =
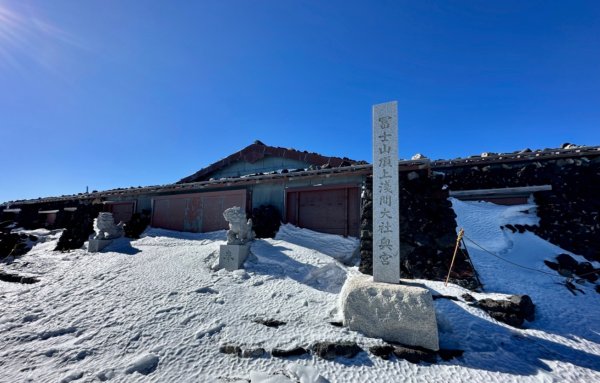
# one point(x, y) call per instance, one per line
point(381, 307)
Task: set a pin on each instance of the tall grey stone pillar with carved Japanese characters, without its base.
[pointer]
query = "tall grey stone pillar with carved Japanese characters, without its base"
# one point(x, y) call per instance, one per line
point(386, 201)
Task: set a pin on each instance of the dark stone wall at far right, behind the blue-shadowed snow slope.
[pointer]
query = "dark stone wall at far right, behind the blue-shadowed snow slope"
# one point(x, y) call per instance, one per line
point(569, 213)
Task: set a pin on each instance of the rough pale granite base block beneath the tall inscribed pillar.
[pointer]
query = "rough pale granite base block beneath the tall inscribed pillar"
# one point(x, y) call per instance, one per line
point(395, 313)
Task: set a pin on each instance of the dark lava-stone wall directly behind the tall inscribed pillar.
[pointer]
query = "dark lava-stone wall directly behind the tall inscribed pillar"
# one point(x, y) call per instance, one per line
point(427, 231)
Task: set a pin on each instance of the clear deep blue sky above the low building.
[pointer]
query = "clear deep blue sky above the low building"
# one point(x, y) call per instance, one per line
point(119, 93)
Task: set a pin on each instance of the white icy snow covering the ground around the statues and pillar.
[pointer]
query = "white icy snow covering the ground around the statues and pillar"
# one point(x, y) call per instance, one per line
point(153, 310)
